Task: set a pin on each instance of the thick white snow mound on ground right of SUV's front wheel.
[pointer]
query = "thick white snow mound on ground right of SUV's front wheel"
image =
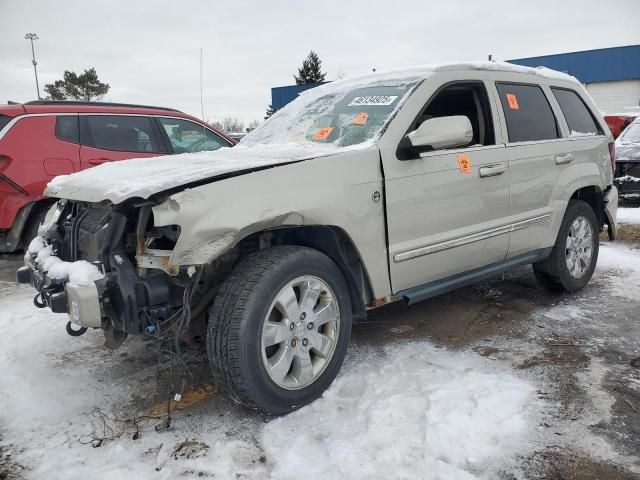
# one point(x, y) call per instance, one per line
point(414, 412)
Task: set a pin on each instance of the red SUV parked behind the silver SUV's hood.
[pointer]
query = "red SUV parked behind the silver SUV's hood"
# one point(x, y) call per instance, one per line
point(42, 139)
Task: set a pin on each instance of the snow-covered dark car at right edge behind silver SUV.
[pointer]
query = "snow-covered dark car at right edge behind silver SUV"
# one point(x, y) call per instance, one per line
point(628, 160)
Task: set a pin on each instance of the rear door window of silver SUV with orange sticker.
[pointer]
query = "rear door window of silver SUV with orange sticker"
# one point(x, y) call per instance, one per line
point(528, 113)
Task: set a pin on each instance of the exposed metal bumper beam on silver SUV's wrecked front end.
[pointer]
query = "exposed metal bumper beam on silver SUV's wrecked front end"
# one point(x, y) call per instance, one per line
point(80, 302)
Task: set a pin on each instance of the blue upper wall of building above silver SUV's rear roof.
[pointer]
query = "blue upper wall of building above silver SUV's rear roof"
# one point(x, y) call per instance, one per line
point(590, 66)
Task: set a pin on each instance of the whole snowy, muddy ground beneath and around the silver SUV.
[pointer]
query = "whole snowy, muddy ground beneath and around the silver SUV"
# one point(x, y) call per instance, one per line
point(493, 384)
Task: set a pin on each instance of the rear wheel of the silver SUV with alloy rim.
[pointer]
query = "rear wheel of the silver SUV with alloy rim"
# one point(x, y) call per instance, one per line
point(554, 272)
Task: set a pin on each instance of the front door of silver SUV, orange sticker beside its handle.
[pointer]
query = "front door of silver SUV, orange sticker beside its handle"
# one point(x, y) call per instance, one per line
point(447, 209)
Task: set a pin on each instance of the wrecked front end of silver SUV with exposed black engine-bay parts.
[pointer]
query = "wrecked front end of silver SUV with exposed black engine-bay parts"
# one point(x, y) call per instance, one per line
point(138, 293)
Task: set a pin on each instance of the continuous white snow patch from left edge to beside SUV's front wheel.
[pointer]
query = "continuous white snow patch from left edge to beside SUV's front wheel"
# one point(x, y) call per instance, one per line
point(401, 411)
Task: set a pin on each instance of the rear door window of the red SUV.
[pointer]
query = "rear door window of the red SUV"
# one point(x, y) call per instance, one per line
point(120, 132)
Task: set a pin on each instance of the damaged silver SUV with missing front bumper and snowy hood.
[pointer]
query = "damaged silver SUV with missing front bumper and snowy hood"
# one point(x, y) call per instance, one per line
point(395, 186)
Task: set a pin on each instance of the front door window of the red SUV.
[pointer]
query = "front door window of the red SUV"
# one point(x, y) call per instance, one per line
point(188, 137)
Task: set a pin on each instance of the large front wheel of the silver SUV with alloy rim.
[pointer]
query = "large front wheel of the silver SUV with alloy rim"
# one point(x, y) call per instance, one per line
point(239, 329)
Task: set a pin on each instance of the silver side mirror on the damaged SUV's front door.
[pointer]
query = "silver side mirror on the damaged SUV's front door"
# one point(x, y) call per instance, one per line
point(442, 132)
